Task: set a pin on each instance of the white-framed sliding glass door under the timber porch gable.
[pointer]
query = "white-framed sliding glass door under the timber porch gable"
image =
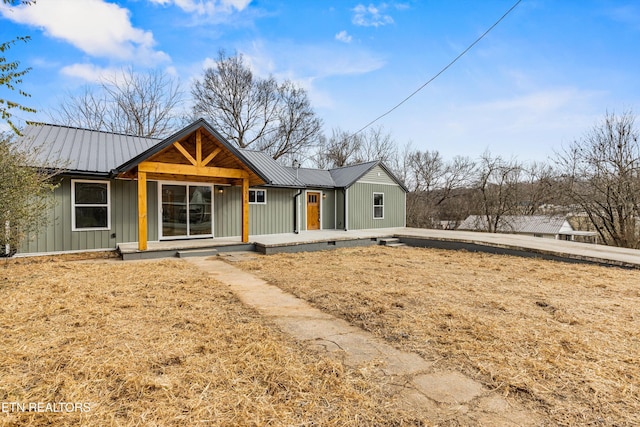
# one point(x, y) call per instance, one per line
point(186, 210)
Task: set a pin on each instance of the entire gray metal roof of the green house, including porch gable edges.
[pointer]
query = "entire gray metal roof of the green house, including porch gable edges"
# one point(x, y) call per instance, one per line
point(90, 152)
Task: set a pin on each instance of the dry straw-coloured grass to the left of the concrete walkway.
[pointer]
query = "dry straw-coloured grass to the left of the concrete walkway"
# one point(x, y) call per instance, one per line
point(155, 343)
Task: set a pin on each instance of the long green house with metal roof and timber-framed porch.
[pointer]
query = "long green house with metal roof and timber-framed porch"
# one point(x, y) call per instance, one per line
point(196, 185)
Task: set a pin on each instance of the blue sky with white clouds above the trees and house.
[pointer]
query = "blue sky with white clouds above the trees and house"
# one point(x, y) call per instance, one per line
point(540, 79)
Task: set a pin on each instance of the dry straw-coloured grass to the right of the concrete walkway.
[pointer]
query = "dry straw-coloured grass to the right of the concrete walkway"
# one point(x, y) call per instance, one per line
point(564, 339)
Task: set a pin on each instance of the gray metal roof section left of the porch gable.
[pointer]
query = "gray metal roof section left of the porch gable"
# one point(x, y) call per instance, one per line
point(82, 150)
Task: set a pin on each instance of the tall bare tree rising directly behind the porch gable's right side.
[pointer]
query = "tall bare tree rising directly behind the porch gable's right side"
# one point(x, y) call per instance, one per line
point(255, 112)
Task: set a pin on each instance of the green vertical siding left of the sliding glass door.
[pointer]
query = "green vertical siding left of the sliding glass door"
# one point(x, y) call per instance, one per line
point(58, 236)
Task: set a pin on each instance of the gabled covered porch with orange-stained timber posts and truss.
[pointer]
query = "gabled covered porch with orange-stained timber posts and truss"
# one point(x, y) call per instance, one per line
point(196, 158)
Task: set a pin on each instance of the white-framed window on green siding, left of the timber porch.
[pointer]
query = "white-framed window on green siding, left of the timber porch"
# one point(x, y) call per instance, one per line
point(90, 207)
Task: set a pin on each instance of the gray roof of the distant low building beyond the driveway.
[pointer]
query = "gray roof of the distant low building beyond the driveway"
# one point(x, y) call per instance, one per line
point(530, 224)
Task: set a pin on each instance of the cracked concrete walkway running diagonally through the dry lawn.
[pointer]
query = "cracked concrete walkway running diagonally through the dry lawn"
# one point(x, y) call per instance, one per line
point(415, 384)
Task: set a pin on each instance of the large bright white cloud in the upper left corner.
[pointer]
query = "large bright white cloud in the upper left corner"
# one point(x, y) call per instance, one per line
point(96, 27)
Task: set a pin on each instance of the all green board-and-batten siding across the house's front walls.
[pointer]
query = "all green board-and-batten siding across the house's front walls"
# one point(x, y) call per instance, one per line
point(274, 217)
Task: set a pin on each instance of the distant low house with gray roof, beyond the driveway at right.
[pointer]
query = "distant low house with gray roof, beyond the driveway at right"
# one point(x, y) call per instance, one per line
point(547, 227)
